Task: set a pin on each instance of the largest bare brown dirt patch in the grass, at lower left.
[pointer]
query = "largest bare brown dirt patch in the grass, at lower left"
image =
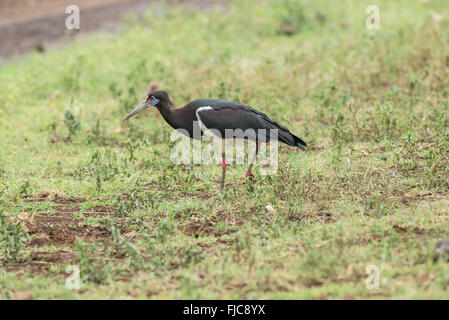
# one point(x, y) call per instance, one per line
point(60, 229)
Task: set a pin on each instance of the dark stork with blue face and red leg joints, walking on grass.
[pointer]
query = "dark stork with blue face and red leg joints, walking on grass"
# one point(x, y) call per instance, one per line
point(218, 115)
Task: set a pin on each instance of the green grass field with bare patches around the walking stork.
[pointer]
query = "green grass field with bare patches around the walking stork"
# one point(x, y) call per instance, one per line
point(372, 188)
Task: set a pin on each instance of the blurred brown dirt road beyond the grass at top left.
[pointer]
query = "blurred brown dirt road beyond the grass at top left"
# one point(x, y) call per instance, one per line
point(36, 24)
